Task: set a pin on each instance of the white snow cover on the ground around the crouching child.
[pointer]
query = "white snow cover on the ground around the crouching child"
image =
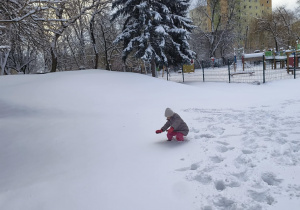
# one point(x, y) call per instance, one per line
point(86, 140)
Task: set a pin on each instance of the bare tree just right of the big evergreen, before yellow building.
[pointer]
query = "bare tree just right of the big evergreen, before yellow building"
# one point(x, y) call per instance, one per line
point(215, 25)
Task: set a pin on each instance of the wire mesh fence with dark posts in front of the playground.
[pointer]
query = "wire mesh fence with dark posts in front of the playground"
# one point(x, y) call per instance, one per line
point(256, 72)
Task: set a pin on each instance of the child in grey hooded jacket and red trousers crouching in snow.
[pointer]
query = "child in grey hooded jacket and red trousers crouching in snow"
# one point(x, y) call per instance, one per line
point(178, 126)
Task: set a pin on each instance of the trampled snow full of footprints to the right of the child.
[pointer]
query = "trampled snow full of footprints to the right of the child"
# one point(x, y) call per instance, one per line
point(264, 140)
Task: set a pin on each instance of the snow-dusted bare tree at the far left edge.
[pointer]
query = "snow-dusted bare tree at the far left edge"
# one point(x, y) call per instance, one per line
point(16, 19)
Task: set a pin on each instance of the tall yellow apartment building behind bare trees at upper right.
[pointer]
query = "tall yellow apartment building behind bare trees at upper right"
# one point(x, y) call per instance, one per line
point(245, 11)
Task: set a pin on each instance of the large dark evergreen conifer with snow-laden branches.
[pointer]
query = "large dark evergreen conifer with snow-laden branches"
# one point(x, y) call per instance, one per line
point(155, 30)
